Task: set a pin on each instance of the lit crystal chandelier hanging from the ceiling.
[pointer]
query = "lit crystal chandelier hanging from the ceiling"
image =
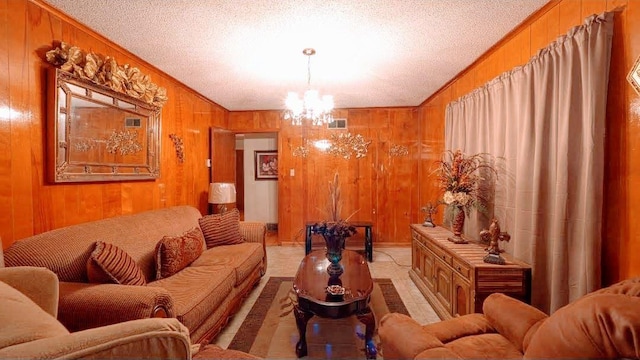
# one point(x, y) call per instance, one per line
point(311, 107)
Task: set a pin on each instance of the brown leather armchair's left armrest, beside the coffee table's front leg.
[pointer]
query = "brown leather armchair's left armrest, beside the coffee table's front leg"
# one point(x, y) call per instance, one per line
point(403, 338)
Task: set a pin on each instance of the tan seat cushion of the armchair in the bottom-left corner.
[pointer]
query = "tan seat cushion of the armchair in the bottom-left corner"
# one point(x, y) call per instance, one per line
point(22, 320)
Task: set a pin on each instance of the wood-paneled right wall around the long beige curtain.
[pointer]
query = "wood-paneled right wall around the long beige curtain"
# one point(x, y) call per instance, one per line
point(620, 231)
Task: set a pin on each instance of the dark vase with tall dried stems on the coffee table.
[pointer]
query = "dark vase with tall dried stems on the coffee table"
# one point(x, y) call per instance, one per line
point(335, 230)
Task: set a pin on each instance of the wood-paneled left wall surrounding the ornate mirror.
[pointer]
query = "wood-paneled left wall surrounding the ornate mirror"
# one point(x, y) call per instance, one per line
point(28, 204)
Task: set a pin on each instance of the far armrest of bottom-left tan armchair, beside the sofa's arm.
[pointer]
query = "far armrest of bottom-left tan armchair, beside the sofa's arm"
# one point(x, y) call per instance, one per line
point(37, 283)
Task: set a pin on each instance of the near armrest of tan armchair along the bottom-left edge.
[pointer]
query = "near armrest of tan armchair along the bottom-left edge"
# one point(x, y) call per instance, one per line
point(146, 338)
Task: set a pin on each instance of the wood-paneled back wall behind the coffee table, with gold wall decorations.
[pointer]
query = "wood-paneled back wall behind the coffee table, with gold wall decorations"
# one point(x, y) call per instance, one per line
point(378, 187)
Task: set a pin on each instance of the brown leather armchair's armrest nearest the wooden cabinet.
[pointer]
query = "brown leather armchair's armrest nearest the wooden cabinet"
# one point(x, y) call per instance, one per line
point(512, 318)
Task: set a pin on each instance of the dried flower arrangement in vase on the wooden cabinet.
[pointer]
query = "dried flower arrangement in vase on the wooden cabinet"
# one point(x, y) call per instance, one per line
point(461, 177)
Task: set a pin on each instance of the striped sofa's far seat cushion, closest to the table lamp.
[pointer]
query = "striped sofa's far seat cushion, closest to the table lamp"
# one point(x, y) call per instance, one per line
point(243, 258)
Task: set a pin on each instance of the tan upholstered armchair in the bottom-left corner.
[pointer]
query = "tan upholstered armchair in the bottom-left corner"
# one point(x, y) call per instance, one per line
point(29, 329)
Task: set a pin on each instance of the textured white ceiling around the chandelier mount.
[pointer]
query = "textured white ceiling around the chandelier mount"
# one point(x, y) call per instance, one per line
point(246, 55)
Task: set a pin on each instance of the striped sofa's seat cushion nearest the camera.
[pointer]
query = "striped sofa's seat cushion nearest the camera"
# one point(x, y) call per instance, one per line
point(197, 292)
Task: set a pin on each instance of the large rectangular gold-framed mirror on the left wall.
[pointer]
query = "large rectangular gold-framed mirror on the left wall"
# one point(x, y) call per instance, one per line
point(96, 134)
